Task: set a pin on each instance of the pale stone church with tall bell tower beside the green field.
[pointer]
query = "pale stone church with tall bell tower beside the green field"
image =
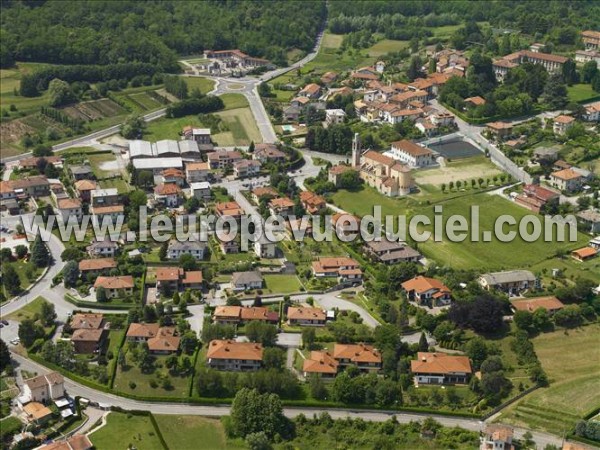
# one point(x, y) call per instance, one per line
point(382, 172)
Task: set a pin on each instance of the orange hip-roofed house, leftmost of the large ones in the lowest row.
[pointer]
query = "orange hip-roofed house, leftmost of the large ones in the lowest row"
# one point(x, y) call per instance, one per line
point(234, 356)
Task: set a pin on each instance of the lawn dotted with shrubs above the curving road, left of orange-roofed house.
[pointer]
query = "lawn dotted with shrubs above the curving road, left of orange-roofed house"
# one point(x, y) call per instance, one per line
point(180, 384)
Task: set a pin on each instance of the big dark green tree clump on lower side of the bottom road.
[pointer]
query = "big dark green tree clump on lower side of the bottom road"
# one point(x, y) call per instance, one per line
point(252, 412)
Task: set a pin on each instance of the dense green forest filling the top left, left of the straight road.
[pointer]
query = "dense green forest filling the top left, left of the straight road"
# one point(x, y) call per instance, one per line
point(108, 32)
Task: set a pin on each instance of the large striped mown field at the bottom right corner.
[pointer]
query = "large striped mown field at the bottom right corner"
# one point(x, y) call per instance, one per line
point(570, 358)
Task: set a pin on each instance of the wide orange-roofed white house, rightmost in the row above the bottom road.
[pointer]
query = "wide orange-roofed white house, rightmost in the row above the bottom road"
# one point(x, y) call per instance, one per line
point(440, 368)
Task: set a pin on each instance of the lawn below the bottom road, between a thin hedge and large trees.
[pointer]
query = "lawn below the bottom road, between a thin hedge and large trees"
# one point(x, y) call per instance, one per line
point(187, 432)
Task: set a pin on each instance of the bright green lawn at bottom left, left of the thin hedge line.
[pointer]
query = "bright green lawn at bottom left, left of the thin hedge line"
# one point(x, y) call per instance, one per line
point(127, 430)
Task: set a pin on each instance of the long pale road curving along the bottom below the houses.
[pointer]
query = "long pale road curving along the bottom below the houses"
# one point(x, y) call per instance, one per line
point(75, 389)
